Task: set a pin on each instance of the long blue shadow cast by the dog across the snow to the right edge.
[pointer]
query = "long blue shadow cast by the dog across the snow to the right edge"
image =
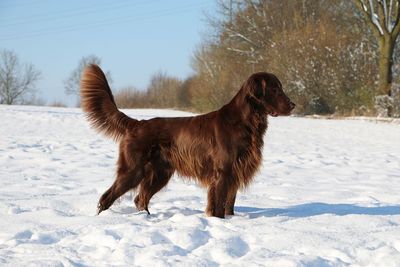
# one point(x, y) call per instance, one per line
point(314, 209)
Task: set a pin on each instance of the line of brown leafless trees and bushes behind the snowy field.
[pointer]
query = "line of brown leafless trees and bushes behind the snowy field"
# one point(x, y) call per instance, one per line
point(333, 57)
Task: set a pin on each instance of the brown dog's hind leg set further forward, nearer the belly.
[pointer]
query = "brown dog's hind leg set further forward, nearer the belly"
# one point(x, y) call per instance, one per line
point(150, 186)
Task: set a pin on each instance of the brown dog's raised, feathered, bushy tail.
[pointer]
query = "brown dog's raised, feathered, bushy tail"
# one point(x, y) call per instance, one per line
point(98, 103)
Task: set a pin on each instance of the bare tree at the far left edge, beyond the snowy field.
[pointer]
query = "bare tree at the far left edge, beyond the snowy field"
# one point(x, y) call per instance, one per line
point(16, 80)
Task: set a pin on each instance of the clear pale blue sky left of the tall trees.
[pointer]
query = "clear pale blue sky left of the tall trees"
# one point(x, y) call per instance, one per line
point(134, 38)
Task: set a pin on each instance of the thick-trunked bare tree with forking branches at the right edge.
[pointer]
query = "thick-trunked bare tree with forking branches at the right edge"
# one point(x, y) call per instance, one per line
point(383, 18)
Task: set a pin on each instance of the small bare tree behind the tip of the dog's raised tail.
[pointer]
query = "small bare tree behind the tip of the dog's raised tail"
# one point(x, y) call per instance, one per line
point(71, 84)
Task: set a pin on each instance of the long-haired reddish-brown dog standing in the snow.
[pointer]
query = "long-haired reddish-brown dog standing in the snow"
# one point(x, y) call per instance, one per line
point(221, 150)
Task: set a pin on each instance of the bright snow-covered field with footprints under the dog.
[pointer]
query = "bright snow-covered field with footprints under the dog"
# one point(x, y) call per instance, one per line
point(328, 194)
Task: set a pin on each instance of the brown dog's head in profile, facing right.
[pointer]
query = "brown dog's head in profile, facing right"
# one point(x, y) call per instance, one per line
point(265, 93)
